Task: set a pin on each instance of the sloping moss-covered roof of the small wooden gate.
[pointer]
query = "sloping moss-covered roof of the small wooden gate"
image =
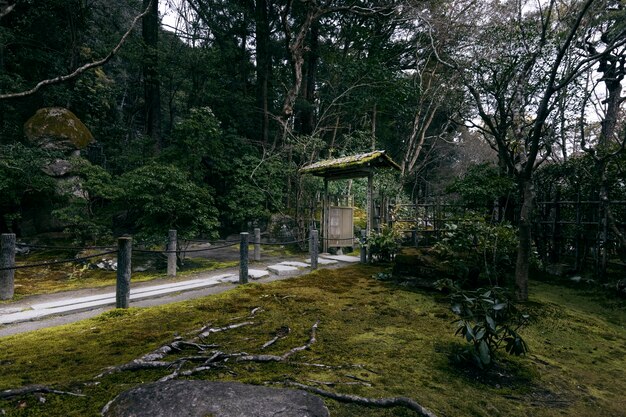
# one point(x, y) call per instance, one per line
point(352, 166)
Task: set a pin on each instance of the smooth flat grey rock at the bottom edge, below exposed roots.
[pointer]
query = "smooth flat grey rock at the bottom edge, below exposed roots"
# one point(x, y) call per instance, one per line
point(216, 399)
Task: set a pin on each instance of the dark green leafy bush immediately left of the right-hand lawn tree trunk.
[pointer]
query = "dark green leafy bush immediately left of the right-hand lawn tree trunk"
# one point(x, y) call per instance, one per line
point(472, 246)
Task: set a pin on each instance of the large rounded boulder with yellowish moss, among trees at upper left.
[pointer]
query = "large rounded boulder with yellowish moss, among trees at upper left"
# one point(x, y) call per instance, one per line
point(57, 128)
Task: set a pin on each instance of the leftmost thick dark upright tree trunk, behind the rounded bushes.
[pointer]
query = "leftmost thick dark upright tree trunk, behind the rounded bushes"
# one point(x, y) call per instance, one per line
point(152, 88)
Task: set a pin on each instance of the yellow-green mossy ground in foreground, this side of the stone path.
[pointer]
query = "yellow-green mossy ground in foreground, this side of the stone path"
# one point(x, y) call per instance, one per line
point(401, 337)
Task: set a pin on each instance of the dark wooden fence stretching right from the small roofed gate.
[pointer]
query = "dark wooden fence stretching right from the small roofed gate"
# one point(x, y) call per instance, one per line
point(581, 235)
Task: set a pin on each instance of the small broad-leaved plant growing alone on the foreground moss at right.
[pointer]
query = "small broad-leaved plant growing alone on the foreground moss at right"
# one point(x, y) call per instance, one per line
point(488, 320)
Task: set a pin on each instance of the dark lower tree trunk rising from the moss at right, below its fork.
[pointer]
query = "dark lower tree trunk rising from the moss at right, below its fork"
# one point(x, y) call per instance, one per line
point(525, 239)
